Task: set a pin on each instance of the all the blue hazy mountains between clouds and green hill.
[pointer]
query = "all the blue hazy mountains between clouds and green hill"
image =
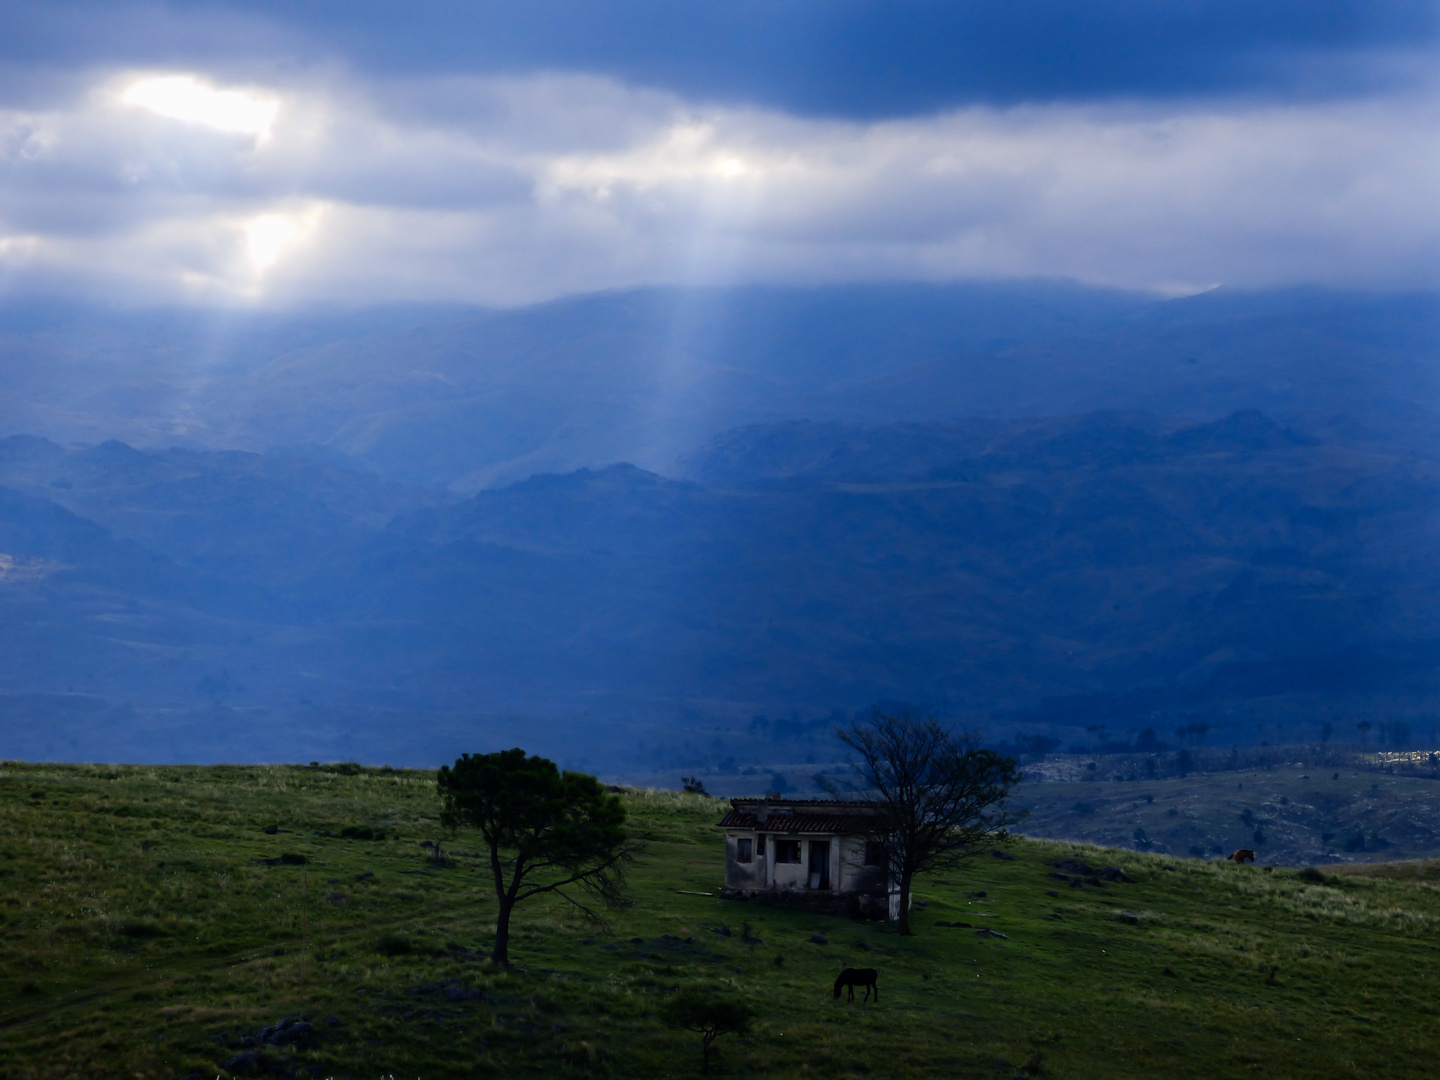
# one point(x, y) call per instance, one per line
point(621, 528)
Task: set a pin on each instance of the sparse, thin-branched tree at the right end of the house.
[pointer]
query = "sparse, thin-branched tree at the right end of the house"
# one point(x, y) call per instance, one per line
point(942, 796)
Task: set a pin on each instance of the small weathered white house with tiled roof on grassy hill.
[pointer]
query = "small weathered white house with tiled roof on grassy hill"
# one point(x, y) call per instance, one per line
point(807, 853)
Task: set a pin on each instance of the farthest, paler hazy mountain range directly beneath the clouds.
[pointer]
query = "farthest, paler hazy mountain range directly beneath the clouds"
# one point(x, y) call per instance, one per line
point(474, 400)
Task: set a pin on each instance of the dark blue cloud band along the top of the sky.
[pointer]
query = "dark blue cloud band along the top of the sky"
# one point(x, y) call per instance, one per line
point(855, 58)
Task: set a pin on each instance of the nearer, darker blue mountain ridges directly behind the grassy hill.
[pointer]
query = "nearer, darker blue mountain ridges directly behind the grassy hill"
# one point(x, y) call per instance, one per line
point(1026, 577)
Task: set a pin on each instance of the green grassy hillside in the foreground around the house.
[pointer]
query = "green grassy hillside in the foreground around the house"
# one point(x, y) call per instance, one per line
point(149, 921)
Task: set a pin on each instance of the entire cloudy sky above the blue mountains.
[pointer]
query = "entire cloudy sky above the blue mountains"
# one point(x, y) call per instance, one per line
point(283, 155)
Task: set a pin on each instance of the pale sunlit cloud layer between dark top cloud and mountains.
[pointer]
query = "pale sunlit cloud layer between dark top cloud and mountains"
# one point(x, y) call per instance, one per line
point(351, 197)
